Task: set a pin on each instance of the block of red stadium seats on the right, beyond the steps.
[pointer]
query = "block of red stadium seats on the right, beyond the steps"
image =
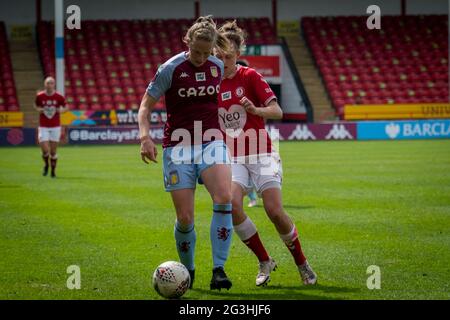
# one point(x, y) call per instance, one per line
point(404, 62)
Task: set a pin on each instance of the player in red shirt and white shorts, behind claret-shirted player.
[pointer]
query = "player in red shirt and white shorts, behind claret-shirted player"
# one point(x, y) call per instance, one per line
point(245, 101)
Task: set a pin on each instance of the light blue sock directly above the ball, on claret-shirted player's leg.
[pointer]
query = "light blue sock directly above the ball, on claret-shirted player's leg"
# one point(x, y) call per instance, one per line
point(185, 239)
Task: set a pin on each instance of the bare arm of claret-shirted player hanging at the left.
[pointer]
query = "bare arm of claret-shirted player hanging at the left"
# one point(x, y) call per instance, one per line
point(148, 148)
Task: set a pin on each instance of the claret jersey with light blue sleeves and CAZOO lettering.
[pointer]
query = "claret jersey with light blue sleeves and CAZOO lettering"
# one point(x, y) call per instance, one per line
point(191, 94)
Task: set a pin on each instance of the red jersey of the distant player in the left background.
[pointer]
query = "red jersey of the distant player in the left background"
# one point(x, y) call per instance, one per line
point(50, 118)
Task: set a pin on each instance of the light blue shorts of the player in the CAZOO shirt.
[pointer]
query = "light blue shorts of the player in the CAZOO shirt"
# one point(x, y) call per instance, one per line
point(183, 165)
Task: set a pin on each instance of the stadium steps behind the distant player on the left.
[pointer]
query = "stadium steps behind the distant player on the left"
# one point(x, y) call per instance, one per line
point(28, 77)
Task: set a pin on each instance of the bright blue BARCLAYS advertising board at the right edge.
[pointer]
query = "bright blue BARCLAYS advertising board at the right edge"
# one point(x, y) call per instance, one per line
point(402, 130)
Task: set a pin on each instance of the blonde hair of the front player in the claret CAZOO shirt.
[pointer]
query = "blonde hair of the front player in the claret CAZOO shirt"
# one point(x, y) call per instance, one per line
point(204, 28)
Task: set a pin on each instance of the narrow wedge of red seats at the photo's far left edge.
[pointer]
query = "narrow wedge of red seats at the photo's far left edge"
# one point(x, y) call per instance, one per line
point(8, 94)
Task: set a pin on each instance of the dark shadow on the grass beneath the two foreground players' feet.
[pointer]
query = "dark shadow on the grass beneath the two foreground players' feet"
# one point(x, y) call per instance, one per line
point(278, 292)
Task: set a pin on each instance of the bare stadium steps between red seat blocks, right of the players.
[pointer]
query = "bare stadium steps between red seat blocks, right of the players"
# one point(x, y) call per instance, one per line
point(322, 108)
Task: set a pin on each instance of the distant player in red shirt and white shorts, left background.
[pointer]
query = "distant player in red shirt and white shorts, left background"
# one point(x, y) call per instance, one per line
point(50, 105)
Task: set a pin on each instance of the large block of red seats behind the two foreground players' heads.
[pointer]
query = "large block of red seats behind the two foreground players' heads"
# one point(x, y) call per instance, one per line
point(110, 62)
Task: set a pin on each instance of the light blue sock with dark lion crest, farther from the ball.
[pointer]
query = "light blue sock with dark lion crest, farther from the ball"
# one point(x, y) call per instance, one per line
point(220, 233)
